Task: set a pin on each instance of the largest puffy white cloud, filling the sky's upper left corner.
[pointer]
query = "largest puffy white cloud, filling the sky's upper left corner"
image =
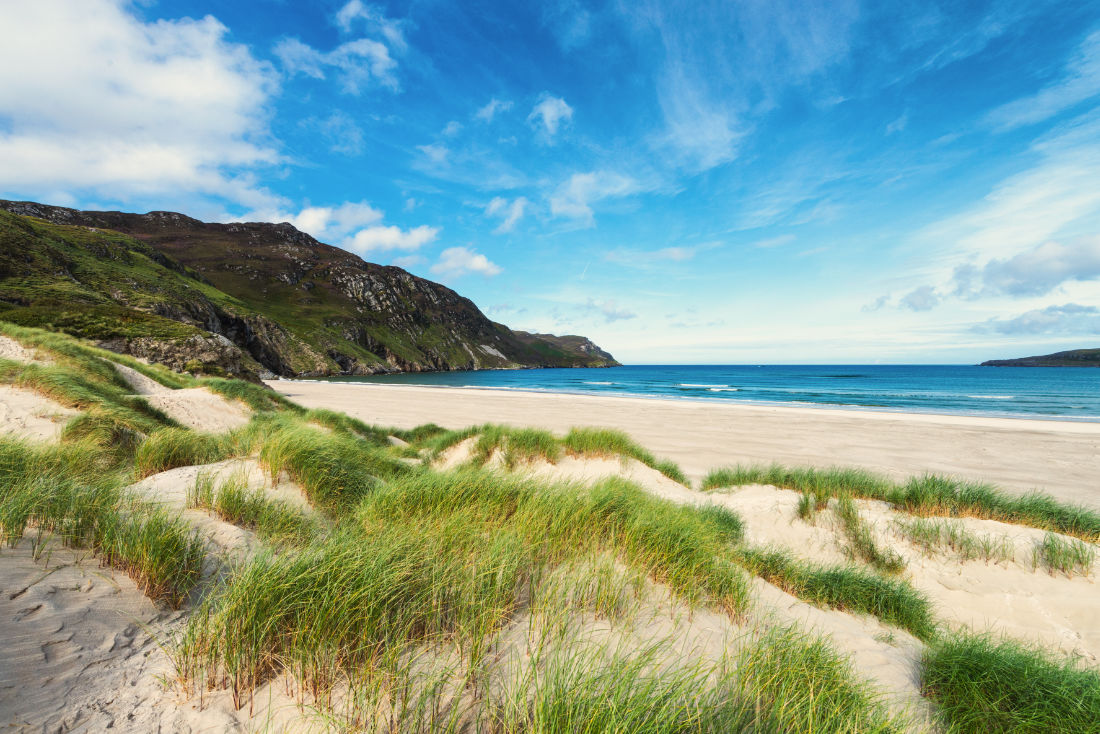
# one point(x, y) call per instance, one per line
point(98, 102)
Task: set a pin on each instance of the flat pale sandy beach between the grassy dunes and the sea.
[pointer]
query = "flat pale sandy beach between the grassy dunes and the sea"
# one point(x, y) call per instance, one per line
point(1058, 457)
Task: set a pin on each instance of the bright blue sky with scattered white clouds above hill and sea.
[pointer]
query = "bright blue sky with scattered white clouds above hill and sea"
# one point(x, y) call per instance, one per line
point(700, 182)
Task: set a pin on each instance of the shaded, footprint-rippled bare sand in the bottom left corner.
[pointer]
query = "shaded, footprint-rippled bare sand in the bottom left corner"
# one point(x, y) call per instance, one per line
point(82, 654)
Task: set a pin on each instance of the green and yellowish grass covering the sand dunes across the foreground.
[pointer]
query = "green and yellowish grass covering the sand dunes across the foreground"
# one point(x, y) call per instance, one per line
point(388, 601)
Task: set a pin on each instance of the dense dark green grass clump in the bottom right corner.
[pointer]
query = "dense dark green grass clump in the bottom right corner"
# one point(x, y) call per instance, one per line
point(982, 684)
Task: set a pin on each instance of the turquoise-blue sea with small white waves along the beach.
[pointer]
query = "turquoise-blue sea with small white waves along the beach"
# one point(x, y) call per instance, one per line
point(1068, 393)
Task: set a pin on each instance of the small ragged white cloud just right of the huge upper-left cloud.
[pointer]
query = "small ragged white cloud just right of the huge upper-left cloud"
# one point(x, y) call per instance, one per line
point(357, 63)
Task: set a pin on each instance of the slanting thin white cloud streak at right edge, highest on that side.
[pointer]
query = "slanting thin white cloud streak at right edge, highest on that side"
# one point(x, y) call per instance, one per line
point(1080, 82)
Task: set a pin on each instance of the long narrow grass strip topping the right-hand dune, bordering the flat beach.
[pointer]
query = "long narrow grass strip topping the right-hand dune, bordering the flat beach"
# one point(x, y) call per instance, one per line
point(927, 496)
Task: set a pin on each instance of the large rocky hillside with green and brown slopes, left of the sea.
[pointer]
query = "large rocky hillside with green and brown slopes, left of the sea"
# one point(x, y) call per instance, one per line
point(291, 304)
